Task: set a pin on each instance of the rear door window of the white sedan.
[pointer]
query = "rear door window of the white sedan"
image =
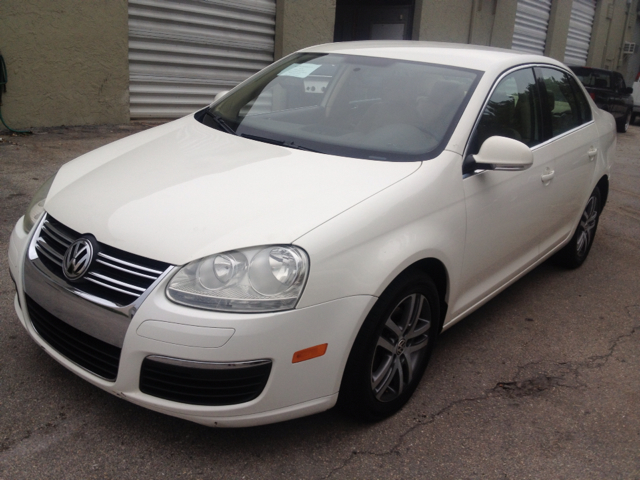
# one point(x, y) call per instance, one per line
point(562, 101)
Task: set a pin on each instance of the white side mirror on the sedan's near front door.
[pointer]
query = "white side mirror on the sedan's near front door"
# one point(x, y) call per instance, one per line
point(501, 153)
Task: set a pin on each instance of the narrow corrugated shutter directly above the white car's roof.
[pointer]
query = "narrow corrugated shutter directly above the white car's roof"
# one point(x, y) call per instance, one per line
point(530, 31)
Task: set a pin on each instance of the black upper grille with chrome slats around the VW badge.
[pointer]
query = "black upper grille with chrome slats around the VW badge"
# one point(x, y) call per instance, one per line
point(114, 275)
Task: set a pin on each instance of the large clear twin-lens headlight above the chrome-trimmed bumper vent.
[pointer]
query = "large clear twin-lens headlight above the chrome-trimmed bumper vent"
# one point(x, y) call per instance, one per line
point(261, 279)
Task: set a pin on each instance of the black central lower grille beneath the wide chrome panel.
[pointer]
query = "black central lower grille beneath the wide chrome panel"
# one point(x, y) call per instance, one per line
point(84, 350)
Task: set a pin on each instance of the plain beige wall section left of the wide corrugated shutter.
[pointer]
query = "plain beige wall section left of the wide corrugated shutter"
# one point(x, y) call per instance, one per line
point(66, 62)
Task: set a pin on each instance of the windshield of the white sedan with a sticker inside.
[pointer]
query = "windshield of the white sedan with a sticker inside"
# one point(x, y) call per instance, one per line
point(354, 106)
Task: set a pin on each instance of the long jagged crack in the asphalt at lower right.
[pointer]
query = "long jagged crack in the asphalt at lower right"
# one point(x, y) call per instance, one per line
point(515, 388)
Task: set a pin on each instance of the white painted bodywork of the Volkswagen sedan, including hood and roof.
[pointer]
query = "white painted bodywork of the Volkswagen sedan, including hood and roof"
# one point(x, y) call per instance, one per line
point(182, 191)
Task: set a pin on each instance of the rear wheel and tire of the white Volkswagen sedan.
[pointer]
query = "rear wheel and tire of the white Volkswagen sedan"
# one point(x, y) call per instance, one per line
point(575, 252)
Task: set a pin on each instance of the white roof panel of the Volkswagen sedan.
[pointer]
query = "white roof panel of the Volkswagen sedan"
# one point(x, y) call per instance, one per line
point(474, 57)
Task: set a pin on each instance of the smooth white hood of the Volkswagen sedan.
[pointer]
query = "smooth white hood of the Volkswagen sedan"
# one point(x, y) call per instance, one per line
point(182, 191)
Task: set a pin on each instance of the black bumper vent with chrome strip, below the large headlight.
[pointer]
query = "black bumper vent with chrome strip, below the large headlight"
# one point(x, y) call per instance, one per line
point(203, 386)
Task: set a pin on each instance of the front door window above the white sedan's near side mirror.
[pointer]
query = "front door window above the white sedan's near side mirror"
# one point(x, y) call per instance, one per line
point(512, 111)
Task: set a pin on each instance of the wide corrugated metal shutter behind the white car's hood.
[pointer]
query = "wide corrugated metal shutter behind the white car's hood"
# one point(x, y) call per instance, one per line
point(183, 52)
